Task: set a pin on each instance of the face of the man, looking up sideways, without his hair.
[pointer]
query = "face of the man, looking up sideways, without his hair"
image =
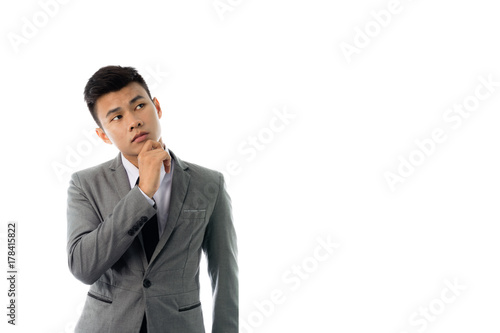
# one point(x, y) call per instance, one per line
point(129, 118)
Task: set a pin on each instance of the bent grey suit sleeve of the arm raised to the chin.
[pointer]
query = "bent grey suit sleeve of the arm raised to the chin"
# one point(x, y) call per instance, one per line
point(94, 245)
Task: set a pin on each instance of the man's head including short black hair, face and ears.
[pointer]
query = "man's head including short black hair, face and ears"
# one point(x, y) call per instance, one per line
point(121, 104)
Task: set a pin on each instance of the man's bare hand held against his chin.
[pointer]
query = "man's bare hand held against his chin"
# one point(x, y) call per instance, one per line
point(150, 161)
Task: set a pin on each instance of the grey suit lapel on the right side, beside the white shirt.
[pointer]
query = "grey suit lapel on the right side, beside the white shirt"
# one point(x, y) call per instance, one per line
point(180, 184)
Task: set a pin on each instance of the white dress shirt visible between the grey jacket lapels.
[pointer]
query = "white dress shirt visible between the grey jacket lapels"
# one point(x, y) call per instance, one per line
point(161, 197)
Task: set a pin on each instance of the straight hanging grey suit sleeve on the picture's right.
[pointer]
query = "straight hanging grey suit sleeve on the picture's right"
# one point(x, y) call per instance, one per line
point(221, 250)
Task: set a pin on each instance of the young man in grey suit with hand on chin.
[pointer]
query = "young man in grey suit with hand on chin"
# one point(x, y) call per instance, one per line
point(138, 223)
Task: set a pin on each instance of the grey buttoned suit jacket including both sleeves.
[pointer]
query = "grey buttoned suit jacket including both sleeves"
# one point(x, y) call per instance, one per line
point(105, 250)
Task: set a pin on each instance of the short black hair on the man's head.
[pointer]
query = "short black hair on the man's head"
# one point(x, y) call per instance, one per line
point(110, 79)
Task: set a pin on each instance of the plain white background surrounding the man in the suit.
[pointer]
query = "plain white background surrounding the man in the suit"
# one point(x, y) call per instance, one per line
point(320, 177)
